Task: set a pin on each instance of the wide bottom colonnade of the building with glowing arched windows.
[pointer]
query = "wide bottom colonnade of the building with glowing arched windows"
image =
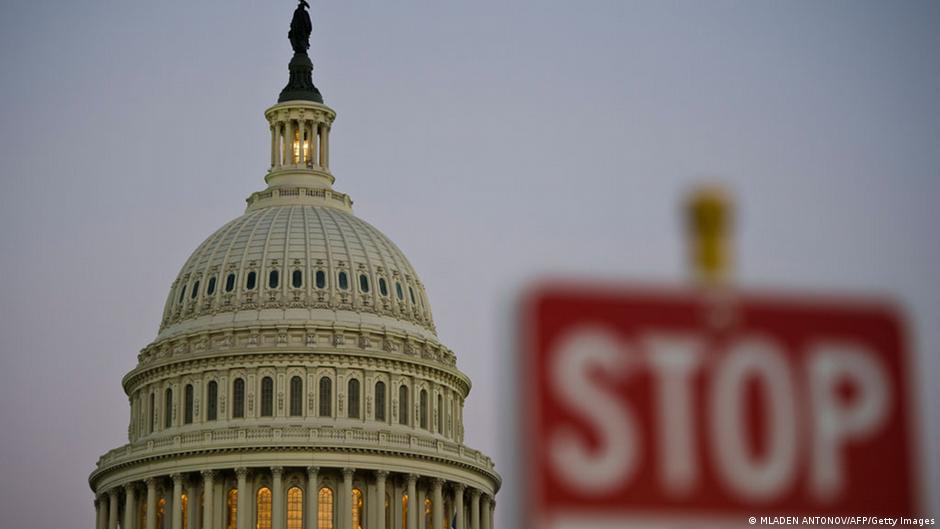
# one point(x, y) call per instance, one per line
point(207, 501)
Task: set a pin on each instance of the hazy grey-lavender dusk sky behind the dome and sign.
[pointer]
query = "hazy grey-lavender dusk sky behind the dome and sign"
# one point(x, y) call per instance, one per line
point(494, 142)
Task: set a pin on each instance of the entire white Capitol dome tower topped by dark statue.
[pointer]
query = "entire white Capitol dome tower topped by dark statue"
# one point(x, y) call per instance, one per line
point(297, 380)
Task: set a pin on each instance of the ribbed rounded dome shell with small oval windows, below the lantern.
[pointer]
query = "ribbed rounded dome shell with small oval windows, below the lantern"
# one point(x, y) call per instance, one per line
point(297, 264)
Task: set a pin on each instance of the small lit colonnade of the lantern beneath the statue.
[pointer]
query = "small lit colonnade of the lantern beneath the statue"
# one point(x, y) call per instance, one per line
point(300, 142)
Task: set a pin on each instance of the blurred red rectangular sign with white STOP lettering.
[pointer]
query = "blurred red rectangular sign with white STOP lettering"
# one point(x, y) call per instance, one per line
point(645, 405)
